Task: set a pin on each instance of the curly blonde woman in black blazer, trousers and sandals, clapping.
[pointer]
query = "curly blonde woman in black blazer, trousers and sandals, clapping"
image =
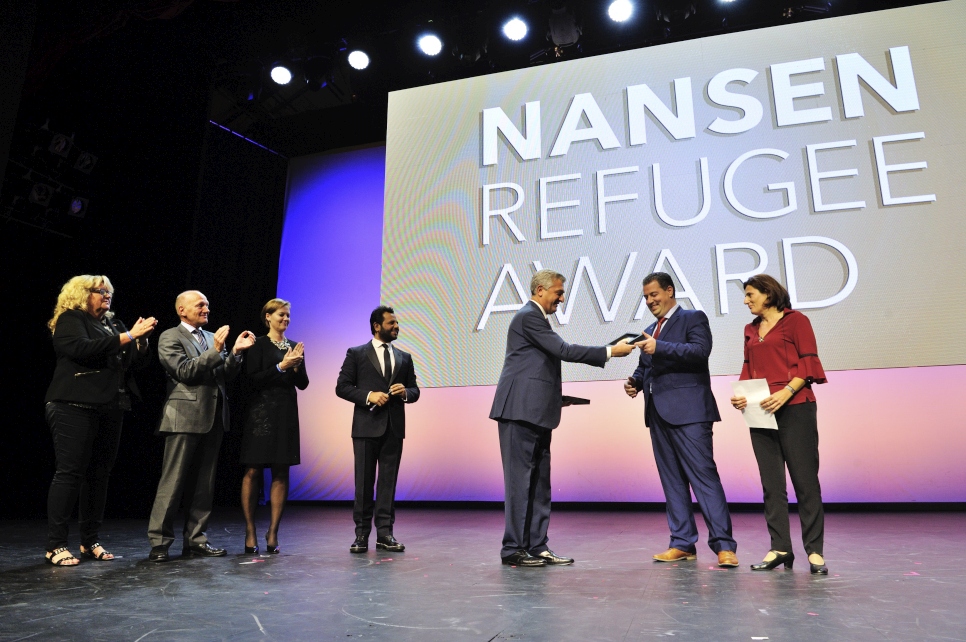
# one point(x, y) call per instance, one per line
point(86, 400)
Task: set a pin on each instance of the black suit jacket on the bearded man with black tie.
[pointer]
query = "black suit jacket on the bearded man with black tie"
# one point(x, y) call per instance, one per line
point(361, 375)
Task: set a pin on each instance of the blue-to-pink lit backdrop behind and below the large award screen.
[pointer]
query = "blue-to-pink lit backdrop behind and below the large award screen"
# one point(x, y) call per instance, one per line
point(894, 435)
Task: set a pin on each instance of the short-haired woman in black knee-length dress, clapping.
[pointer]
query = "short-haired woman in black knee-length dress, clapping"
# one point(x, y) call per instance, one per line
point(275, 366)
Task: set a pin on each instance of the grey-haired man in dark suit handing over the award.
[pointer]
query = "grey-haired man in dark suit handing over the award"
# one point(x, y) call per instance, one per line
point(527, 406)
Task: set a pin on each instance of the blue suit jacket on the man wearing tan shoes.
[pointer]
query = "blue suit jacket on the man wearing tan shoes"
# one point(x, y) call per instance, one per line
point(676, 378)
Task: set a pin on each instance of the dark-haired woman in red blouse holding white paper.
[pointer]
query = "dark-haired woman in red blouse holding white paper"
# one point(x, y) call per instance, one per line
point(780, 348)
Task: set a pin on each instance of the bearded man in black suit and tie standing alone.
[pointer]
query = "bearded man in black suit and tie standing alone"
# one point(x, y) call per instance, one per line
point(379, 379)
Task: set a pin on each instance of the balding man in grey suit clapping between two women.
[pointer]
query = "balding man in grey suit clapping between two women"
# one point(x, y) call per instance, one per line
point(194, 418)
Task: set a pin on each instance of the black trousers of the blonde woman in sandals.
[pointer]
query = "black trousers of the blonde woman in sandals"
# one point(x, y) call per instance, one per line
point(85, 447)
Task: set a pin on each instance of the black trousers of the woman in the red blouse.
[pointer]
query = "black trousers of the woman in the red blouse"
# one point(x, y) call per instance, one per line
point(795, 445)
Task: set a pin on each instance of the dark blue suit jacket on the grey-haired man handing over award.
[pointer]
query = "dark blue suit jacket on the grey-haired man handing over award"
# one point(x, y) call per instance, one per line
point(530, 386)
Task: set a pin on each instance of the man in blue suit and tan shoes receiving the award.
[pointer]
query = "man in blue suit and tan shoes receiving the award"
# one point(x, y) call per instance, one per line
point(680, 409)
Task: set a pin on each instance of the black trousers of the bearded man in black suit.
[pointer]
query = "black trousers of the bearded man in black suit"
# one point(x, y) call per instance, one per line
point(383, 453)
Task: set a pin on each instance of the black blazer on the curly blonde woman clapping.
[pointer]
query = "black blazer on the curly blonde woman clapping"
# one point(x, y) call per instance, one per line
point(91, 365)
